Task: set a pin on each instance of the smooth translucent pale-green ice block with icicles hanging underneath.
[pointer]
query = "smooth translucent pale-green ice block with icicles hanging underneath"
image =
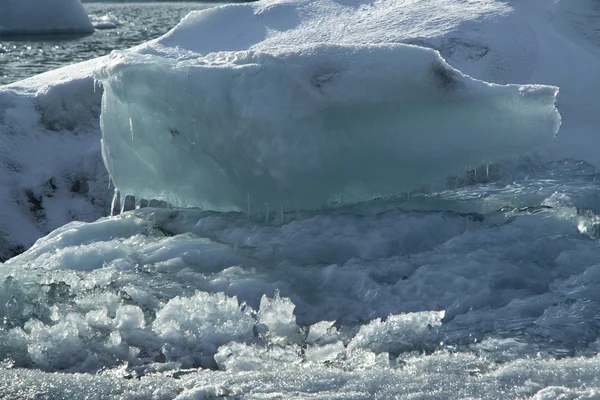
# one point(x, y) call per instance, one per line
point(308, 126)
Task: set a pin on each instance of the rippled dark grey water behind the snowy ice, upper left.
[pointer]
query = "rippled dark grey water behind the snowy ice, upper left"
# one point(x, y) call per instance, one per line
point(138, 22)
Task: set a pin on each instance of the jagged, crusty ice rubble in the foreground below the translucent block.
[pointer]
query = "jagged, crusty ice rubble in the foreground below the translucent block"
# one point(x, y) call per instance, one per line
point(387, 303)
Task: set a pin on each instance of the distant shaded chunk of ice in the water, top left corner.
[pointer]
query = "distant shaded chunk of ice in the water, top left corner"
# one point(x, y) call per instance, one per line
point(18, 17)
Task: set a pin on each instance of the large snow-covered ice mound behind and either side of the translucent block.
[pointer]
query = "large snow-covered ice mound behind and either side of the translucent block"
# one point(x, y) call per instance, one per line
point(538, 41)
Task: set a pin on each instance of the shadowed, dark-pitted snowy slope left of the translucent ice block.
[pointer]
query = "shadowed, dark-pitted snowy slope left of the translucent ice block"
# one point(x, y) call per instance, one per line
point(51, 170)
